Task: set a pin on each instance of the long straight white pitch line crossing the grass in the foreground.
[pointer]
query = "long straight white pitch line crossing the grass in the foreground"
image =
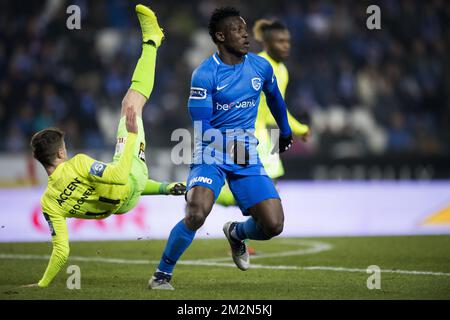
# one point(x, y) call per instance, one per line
point(219, 264)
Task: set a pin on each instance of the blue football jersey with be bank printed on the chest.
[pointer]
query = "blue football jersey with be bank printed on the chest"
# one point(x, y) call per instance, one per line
point(233, 93)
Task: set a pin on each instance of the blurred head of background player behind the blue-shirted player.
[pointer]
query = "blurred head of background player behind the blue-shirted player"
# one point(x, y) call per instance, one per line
point(275, 38)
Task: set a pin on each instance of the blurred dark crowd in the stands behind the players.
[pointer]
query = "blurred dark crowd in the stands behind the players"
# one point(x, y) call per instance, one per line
point(364, 92)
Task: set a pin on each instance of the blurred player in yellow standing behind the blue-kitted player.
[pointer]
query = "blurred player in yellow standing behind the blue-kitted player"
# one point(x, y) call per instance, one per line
point(276, 41)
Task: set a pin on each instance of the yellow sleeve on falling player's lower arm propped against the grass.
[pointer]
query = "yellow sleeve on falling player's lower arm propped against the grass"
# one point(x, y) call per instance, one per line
point(60, 252)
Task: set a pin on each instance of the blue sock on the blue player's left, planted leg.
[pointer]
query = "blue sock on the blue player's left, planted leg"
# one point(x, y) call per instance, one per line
point(179, 240)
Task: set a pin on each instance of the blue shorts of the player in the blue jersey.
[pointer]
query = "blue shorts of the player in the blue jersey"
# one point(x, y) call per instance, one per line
point(248, 190)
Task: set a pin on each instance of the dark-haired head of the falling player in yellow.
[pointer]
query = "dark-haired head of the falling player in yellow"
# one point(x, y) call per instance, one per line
point(45, 145)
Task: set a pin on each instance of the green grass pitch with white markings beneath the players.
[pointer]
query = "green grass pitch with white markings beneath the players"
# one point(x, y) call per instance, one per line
point(286, 268)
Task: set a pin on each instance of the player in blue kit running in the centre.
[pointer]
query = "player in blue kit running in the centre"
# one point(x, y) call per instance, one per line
point(224, 97)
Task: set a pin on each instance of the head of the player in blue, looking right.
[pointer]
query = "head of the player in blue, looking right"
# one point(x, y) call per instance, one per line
point(229, 30)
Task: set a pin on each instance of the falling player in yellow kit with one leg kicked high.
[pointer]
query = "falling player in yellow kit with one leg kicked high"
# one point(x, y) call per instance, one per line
point(82, 187)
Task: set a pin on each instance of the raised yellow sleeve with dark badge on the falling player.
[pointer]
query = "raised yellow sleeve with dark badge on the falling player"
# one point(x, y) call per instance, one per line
point(110, 173)
